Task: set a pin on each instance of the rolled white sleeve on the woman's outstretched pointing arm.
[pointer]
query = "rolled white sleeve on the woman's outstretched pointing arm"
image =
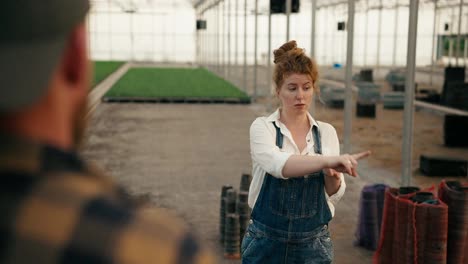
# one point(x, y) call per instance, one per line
point(264, 151)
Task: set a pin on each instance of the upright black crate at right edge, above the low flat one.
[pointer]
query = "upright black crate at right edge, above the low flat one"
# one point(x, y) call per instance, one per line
point(456, 131)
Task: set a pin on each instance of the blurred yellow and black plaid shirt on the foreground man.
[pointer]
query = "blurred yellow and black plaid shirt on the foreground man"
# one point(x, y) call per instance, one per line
point(55, 209)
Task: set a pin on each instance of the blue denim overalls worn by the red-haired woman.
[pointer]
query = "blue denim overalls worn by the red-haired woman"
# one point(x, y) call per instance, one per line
point(290, 218)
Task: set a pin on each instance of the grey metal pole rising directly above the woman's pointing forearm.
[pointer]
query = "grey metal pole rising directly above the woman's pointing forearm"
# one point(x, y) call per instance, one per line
point(349, 72)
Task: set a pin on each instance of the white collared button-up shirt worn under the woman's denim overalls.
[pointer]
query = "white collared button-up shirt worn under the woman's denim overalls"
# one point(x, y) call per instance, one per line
point(267, 157)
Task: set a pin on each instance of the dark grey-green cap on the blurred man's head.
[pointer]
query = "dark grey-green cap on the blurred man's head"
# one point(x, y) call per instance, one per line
point(33, 34)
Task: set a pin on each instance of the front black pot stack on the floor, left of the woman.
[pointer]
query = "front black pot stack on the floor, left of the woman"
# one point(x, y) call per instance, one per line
point(232, 227)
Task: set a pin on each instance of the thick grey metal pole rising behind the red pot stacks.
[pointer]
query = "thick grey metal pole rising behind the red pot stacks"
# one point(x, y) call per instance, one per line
point(409, 96)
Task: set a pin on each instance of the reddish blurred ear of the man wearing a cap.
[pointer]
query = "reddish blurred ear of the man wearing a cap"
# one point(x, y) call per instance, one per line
point(75, 58)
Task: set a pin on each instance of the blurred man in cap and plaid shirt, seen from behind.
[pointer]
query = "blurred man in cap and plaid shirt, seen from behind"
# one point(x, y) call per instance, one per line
point(55, 208)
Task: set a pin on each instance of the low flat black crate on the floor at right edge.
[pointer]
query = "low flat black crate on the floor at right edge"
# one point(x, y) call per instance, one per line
point(442, 166)
